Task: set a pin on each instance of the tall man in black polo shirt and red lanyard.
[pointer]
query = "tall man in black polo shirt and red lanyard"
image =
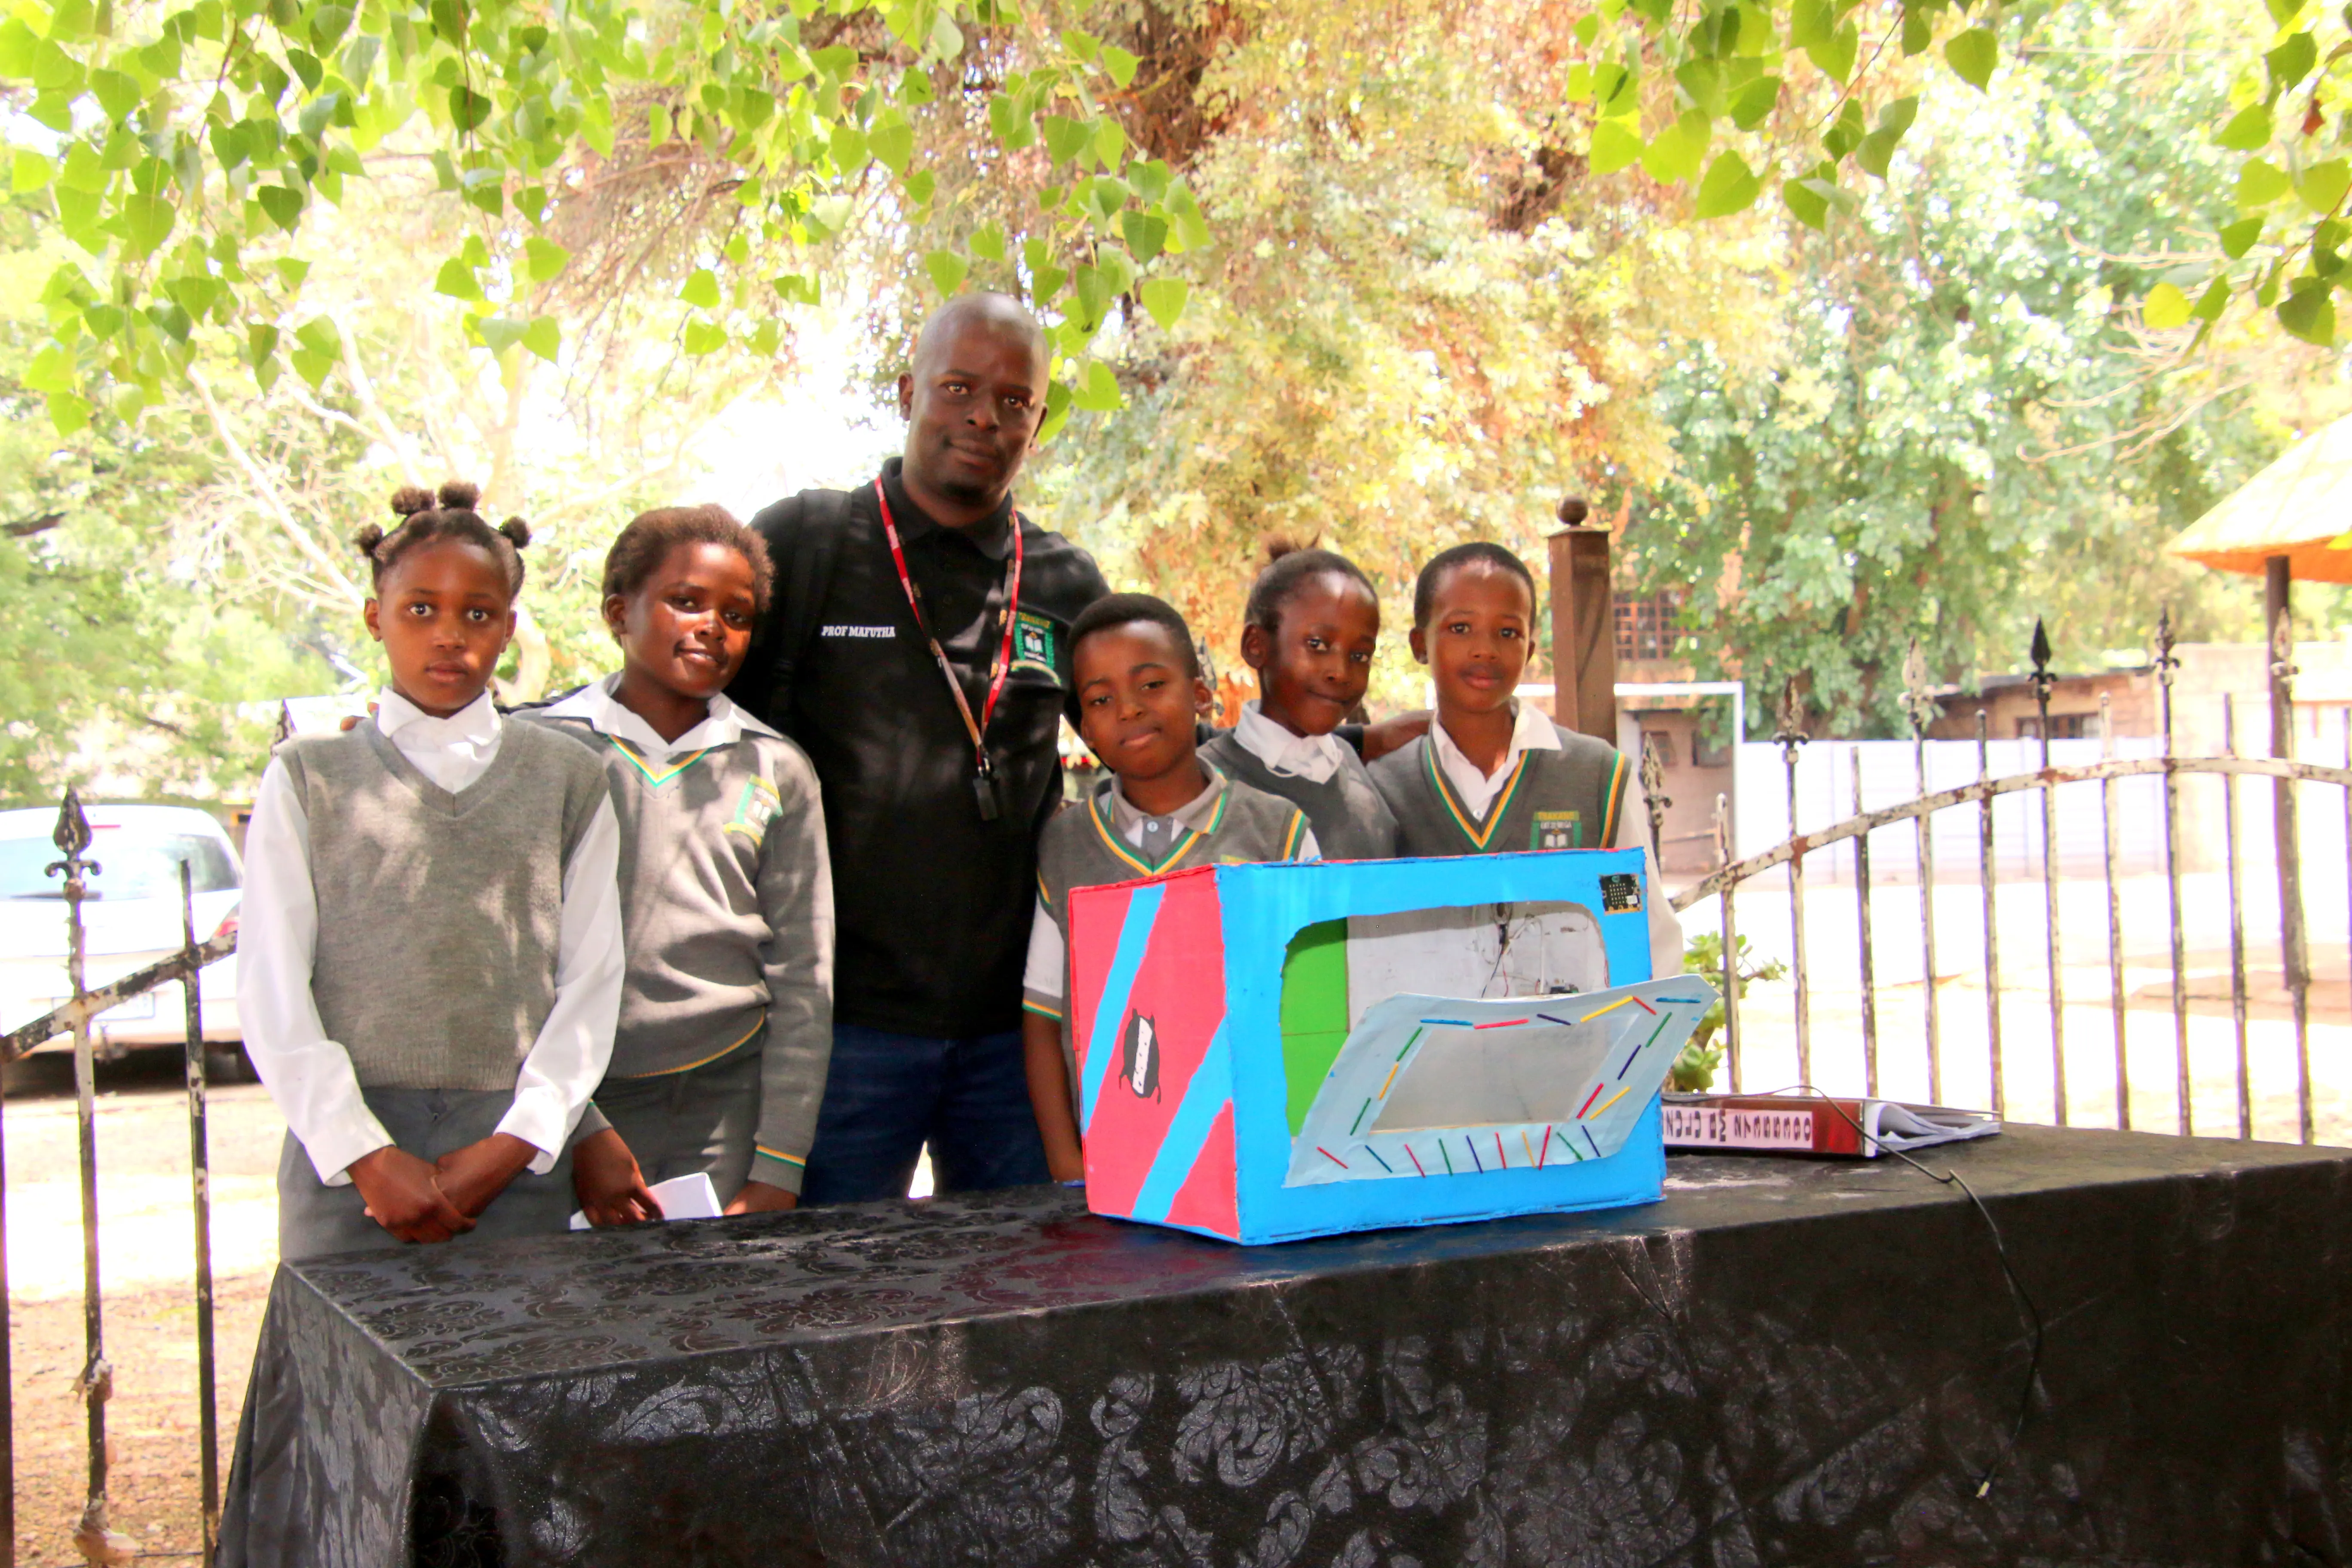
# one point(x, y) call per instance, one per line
point(935, 836)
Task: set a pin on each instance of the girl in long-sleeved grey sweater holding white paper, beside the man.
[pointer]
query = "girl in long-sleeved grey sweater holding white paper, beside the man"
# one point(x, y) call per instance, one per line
point(726, 1026)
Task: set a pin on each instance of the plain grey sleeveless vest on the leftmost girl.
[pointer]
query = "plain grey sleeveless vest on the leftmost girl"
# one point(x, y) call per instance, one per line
point(439, 916)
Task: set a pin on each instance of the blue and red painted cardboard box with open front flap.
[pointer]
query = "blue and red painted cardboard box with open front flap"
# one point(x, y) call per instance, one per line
point(1281, 1052)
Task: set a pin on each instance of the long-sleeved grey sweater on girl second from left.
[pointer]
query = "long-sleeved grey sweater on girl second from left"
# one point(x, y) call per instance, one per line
point(728, 918)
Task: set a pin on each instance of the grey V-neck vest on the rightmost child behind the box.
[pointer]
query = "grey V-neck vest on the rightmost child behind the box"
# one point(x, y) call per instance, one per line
point(1553, 800)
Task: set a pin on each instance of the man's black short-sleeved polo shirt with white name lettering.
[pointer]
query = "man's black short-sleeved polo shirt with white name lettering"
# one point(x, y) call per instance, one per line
point(933, 904)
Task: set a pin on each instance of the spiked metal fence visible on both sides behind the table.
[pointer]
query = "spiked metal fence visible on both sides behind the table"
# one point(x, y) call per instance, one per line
point(74, 838)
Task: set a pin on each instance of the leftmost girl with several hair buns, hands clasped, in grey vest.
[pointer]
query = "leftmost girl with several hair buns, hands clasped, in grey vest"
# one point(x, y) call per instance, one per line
point(432, 934)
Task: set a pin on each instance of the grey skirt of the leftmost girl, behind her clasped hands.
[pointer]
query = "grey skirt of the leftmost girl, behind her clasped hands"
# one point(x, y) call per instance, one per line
point(316, 1219)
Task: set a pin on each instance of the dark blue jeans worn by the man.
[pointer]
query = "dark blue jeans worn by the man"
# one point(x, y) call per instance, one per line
point(893, 1094)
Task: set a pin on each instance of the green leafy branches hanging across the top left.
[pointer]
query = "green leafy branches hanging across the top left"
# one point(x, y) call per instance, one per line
point(208, 142)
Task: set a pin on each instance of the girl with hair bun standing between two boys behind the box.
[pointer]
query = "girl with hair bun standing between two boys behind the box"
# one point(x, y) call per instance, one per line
point(1309, 631)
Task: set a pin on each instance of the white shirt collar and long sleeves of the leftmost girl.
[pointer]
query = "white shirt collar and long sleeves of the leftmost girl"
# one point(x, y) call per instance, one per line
point(309, 1076)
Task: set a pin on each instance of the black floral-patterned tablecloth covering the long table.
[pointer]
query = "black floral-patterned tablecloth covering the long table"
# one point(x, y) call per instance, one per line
point(1786, 1362)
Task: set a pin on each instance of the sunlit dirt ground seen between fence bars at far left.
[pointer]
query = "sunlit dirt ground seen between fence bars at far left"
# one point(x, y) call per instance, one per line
point(147, 1264)
